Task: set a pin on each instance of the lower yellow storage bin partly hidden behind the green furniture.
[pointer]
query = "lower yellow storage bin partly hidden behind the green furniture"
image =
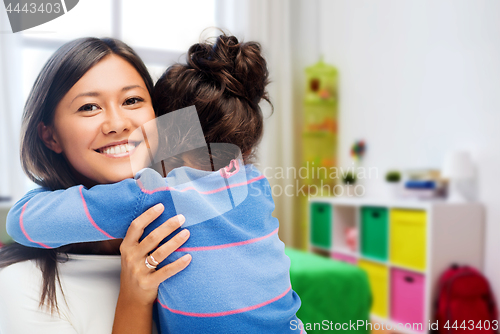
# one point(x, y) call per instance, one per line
point(378, 275)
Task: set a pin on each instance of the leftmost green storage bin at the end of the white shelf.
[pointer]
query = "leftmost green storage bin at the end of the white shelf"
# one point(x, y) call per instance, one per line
point(321, 225)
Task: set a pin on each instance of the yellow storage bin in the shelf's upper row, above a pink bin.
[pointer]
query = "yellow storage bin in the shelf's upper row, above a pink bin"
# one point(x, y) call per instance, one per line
point(408, 238)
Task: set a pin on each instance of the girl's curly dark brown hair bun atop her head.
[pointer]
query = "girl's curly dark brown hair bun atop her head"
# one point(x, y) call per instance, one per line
point(239, 68)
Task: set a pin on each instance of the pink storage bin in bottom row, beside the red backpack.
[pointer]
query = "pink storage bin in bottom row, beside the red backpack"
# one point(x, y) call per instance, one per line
point(407, 297)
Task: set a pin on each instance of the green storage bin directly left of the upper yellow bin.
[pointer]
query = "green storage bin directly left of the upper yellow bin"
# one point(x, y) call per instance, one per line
point(374, 232)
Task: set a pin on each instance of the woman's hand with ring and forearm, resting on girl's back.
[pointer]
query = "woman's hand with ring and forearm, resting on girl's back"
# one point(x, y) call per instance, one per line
point(138, 283)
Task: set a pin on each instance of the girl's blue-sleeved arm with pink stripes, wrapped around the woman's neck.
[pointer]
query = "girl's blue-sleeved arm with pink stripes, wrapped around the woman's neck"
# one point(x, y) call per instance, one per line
point(50, 219)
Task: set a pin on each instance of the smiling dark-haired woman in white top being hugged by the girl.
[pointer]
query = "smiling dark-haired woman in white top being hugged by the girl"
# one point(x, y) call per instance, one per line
point(91, 93)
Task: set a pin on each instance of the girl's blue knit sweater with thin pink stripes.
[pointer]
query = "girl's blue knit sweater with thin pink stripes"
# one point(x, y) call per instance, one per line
point(238, 280)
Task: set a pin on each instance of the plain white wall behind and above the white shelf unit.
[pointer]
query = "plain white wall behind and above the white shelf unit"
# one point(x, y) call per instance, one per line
point(418, 78)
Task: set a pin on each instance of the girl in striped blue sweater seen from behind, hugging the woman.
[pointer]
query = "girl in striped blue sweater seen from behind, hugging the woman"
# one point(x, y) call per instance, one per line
point(238, 281)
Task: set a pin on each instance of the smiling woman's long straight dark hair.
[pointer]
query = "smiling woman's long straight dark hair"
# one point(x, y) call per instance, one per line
point(42, 165)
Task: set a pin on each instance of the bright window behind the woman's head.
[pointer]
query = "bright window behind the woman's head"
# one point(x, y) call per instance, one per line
point(160, 31)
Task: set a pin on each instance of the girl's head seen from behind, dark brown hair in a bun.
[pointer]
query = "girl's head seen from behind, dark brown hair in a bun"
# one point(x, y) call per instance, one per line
point(225, 80)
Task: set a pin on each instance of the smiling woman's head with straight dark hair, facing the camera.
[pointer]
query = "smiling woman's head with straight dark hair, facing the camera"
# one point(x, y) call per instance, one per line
point(88, 98)
